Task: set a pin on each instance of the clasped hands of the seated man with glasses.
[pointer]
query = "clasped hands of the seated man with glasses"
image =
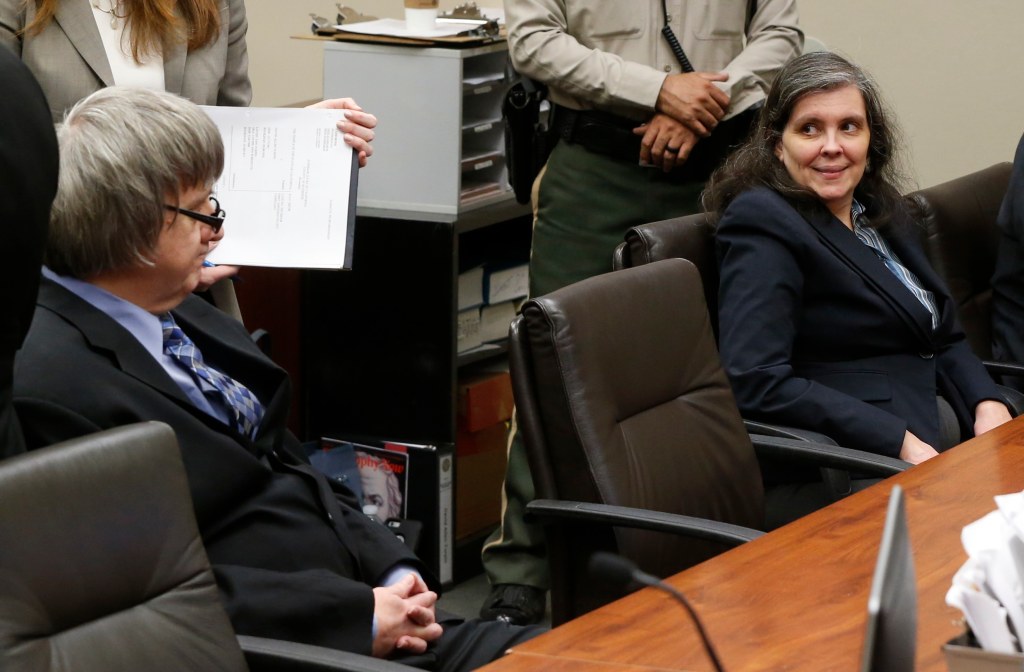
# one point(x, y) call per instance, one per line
point(406, 619)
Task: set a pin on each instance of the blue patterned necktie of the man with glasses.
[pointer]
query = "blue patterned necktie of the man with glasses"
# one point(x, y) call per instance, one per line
point(242, 404)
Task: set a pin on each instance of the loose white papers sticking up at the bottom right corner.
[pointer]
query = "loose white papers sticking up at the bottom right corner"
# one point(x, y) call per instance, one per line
point(990, 587)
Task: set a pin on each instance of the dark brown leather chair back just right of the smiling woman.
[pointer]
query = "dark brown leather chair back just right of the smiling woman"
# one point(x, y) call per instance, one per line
point(961, 240)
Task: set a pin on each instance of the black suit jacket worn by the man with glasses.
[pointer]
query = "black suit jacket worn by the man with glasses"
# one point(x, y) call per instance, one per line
point(292, 562)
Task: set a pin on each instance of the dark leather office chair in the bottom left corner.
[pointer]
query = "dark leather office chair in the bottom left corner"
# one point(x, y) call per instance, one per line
point(103, 569)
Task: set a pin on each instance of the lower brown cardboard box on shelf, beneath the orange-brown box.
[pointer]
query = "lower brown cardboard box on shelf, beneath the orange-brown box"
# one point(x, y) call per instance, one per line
point(481, 460)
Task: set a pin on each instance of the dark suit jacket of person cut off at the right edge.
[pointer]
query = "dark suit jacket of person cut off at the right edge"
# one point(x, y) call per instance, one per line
point(1008, 280)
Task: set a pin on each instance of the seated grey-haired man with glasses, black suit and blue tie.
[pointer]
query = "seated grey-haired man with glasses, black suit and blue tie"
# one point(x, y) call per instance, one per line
point(118, 338)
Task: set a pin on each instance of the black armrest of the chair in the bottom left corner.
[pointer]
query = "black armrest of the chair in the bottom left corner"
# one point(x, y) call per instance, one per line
point(265, 655)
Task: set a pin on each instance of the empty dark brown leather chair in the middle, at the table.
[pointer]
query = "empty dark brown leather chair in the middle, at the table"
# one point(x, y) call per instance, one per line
point(631, 428)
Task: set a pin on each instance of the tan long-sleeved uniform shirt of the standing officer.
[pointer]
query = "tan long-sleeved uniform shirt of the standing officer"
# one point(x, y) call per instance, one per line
point(611, 55)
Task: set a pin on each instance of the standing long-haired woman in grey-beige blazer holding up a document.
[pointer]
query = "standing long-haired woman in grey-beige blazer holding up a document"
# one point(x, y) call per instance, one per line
point(200, 44)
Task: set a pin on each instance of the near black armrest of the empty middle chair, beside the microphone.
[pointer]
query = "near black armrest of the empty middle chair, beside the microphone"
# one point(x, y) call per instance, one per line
point(628, 517)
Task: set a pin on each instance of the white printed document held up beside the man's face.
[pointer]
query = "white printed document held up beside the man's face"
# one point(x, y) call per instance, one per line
point(288, 188)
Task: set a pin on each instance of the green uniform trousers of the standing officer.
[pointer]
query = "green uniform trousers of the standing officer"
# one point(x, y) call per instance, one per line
point(584, 204)
